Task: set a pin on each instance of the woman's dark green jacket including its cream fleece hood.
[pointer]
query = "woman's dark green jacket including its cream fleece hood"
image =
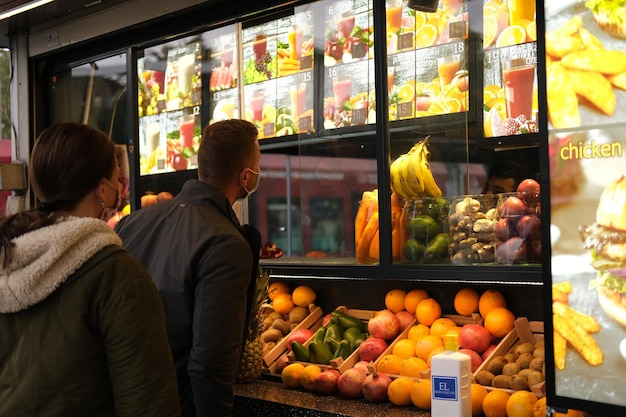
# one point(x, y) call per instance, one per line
point(81, 328)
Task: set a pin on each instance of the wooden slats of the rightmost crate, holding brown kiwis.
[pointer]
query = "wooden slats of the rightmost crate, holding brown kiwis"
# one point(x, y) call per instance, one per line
point(523, 332)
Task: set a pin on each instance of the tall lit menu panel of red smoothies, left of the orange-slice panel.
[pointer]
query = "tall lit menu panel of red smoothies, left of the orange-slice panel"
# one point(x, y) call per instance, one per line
point(348, 64)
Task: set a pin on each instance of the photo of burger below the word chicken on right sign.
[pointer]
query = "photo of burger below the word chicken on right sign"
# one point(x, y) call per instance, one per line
point(607, 240)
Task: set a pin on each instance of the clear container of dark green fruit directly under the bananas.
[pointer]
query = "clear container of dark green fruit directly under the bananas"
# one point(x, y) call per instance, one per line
point(425, 223)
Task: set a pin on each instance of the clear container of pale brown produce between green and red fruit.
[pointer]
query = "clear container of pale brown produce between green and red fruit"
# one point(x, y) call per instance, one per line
point(472, 223)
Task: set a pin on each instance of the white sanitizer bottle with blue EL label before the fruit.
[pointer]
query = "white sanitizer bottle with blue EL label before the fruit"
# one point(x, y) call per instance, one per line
point(451, 378)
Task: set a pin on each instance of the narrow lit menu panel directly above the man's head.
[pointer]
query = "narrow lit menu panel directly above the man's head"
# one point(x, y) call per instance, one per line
point(224, 103)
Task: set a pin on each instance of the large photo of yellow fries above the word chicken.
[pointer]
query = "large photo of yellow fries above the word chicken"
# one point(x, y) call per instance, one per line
point(581, 71)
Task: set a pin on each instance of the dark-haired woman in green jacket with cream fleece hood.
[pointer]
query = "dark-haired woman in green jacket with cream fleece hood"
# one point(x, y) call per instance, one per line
point(82, 329)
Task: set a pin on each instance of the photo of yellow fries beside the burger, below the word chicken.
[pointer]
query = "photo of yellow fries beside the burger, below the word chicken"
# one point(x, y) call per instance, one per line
point(573, 328)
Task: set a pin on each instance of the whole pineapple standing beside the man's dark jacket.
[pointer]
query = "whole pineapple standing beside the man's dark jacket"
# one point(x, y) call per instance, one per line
point(252, 356)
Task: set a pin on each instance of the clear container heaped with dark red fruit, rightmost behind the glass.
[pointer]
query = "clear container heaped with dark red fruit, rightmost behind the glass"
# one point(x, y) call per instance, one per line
point(518, 229)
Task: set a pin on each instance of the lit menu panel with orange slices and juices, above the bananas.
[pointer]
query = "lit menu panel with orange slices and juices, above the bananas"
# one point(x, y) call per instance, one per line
point(427, 60)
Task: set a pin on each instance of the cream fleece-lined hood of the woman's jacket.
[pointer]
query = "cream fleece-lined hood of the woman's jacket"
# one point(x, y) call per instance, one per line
point(44, 258)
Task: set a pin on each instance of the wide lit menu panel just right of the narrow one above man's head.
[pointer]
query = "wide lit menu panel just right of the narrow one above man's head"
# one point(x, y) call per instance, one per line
point(278, 75)
